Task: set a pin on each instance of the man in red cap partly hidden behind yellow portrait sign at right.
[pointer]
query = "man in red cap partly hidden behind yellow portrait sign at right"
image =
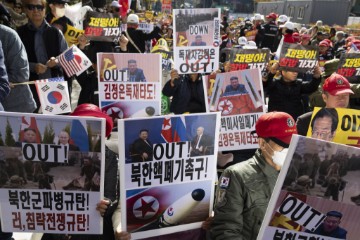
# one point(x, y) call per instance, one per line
point(336, 94)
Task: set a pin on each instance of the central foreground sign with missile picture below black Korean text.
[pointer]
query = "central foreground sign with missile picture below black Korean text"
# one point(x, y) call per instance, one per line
point(167, 172)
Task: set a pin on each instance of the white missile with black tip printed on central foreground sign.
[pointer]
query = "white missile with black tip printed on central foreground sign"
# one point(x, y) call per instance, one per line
point(177, 212)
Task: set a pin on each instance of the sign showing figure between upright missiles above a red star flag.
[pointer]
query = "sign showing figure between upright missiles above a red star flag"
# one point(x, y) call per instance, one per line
point(239, 97)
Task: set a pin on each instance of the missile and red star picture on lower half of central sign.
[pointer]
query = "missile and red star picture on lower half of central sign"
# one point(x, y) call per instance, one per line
point(160, 207)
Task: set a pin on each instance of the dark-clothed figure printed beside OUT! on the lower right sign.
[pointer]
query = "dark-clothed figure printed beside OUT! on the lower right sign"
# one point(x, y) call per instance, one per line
point(330, 227)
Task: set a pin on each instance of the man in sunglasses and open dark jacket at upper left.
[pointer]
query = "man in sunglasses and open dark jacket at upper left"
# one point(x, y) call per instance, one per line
point(43, 43)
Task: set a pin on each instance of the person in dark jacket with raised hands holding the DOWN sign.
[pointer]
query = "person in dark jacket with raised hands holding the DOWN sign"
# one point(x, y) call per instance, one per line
point(187, 91)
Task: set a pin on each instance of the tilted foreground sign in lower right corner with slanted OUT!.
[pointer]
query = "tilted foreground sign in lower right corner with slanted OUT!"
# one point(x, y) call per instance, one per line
point(316, 193)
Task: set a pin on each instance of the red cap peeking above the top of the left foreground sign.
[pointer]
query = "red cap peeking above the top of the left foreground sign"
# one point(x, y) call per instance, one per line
point(91, 110)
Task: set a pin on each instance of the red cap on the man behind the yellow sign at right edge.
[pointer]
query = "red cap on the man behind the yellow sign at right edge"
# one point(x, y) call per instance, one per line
point(337, 84)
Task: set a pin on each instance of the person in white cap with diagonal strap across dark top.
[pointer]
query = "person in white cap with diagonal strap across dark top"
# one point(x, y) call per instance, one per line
point(136, 37)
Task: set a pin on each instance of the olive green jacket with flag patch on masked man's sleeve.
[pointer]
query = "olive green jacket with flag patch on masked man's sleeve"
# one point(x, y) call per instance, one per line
point(243, 193)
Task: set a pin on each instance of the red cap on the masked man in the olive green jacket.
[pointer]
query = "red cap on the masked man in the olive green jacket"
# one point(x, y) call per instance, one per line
point(278, 126)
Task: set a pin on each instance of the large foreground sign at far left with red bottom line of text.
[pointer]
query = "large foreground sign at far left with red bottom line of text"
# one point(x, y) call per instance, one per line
point(51, 173)
